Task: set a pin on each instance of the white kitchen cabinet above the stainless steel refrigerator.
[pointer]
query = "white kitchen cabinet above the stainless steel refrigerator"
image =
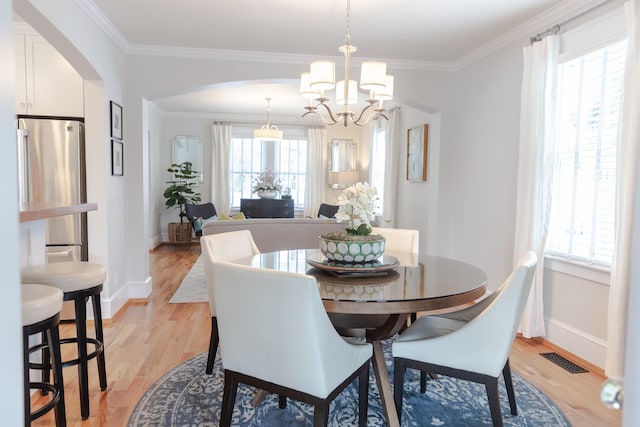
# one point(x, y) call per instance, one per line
point(46, 84)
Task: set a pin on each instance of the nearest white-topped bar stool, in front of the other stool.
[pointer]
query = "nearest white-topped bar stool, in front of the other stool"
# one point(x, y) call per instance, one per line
point(41, 307)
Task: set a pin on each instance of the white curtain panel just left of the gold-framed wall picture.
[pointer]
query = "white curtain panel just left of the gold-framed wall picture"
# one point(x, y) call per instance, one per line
point(393, 140)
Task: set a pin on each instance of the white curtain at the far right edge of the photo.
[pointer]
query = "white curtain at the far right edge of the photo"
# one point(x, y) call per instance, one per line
point(627, 179)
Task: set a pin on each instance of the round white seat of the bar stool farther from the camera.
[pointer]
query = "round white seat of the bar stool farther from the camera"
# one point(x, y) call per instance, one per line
point(67, 276)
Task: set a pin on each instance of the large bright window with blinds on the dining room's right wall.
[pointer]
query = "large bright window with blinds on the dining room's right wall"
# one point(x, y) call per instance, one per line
point(583, 200)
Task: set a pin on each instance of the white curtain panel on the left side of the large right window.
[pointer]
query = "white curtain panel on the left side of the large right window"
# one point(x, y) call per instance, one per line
point(535, 169)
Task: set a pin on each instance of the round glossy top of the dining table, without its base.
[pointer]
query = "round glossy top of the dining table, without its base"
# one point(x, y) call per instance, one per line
point(400, 283)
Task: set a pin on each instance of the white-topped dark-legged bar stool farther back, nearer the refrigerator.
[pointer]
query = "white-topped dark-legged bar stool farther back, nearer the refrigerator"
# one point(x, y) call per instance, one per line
point(78, 281)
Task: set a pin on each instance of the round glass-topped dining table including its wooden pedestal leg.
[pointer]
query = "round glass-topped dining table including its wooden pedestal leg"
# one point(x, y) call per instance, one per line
point(376, 299)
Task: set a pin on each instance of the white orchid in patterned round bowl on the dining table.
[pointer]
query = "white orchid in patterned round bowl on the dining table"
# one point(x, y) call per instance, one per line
point(355, 243)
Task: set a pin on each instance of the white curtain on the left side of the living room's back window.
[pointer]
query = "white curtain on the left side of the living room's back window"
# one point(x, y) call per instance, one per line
point(221, 150)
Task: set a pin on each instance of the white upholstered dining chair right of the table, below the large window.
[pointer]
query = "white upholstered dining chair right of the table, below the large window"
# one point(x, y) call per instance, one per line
point(472, 346)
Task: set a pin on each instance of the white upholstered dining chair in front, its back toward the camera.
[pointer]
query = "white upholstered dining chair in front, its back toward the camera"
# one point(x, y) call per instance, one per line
point(277, 337)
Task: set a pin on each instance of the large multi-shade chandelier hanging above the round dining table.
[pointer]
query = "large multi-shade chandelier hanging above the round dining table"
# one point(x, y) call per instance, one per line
point(321, 77)
